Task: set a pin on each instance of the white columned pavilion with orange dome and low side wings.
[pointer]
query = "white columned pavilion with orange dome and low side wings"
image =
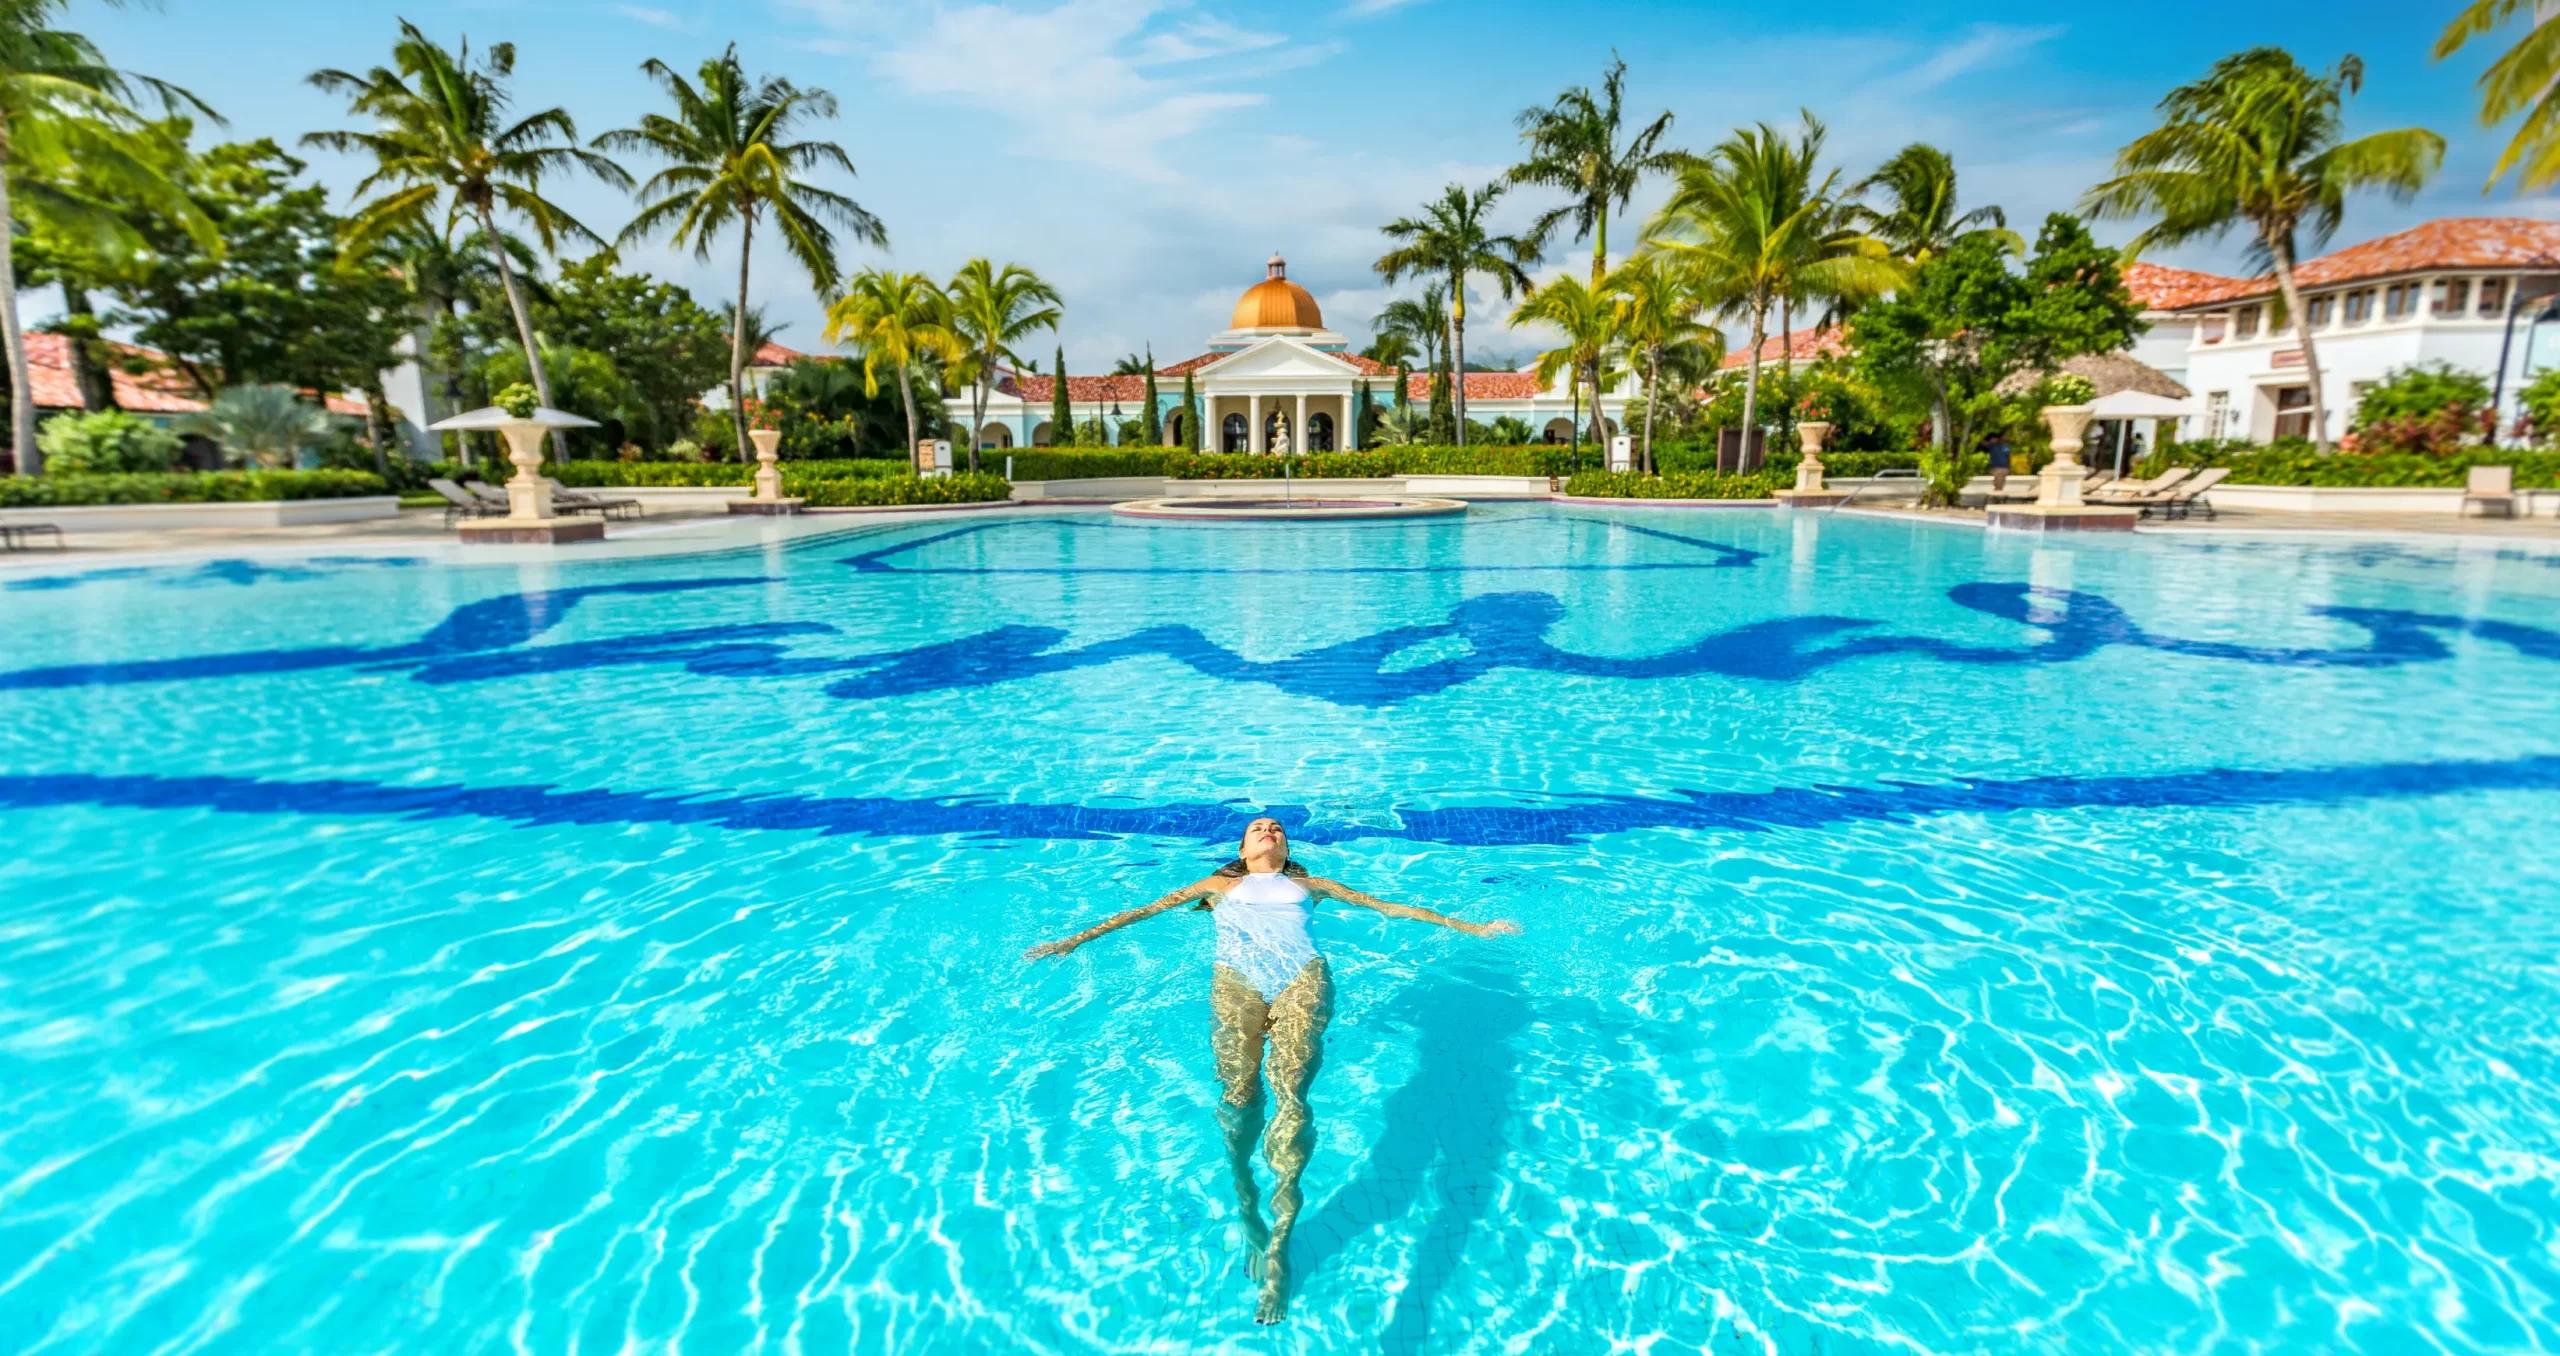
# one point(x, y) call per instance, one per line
point(1276, 367)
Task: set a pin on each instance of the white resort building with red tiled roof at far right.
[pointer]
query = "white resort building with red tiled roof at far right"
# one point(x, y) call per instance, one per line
point(2461, 290)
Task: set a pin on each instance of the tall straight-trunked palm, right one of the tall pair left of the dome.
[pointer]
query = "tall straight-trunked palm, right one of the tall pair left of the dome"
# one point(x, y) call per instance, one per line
point(731, 160)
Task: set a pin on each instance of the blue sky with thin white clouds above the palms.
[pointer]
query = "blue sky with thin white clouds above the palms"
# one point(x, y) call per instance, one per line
point(1148, 155)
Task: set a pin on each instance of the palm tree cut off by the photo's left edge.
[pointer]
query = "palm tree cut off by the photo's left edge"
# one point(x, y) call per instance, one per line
point(63, 111)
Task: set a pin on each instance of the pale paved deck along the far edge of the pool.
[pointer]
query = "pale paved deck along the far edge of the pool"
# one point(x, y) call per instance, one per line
point(710, 528)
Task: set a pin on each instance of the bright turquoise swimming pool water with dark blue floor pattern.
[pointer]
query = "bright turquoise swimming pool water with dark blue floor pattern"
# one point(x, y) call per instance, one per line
point(1934, 943)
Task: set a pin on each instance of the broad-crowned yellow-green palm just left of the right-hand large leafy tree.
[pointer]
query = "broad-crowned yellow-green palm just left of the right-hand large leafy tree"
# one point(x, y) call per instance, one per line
point(1755, 229)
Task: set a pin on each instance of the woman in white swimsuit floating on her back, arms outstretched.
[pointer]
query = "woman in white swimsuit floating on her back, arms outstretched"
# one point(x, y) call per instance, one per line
point(1268, 989)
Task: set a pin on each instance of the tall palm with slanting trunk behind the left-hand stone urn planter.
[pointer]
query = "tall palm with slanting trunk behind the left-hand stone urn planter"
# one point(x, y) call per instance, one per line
point(444, 150)
